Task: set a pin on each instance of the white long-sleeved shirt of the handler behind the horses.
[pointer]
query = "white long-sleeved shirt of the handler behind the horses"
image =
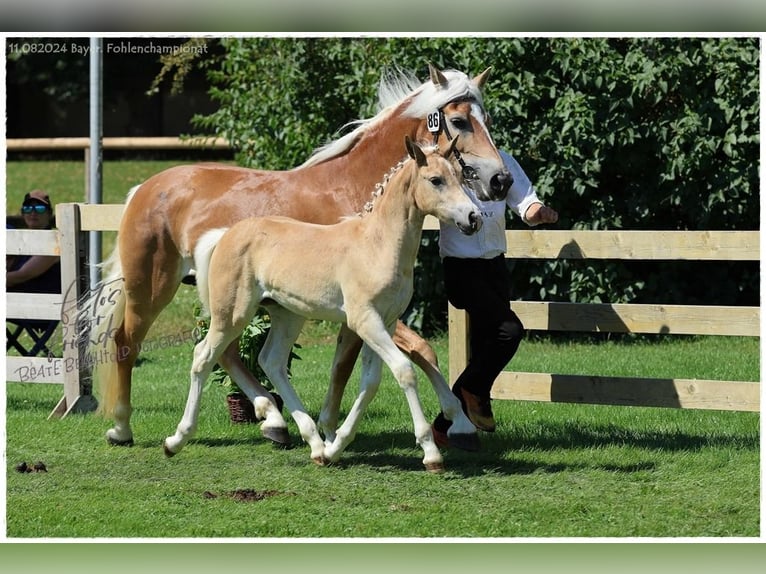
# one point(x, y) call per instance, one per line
point(489, 241)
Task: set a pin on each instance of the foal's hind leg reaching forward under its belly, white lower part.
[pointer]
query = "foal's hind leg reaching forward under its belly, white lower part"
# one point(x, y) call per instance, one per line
point(274, 358)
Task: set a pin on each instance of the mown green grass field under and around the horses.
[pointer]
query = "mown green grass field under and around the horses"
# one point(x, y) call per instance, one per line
point(550, 471)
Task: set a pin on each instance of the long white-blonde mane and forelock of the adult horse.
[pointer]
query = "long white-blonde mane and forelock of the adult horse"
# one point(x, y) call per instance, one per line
point(396, 88)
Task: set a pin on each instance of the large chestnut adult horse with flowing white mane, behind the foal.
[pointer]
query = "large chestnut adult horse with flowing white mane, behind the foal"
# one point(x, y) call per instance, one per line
point(167, 214)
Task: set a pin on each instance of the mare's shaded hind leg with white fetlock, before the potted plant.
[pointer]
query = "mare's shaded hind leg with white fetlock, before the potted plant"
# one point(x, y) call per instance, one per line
point(274, 426)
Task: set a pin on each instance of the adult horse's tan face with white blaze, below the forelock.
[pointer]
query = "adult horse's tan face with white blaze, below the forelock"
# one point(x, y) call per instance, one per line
point(468, 120)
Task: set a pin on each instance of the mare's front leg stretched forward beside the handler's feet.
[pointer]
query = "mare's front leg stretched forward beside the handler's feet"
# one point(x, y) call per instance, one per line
point(462, 432)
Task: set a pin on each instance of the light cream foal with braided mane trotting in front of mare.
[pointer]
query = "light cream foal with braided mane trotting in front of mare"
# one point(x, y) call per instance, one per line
point(357, 272)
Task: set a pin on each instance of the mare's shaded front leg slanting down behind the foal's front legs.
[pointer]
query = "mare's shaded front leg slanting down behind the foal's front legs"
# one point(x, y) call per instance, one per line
point(347, 350)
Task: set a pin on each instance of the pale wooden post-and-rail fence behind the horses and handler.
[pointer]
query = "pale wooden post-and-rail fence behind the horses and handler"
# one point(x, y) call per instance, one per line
point(76, 220)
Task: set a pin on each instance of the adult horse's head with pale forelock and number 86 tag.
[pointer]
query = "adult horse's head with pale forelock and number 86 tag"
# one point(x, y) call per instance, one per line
point(463, 115)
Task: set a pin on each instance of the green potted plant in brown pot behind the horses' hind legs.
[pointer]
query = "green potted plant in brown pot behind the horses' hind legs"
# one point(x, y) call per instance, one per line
point(251, 341)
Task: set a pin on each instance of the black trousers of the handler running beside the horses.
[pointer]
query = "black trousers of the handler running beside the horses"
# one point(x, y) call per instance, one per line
point(482, 288)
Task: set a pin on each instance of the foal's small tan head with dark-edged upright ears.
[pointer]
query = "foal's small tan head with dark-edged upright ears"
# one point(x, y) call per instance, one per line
point(437, 190)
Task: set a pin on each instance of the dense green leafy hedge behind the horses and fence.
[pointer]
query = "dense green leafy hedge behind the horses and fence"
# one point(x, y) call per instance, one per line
point(617, 133)
